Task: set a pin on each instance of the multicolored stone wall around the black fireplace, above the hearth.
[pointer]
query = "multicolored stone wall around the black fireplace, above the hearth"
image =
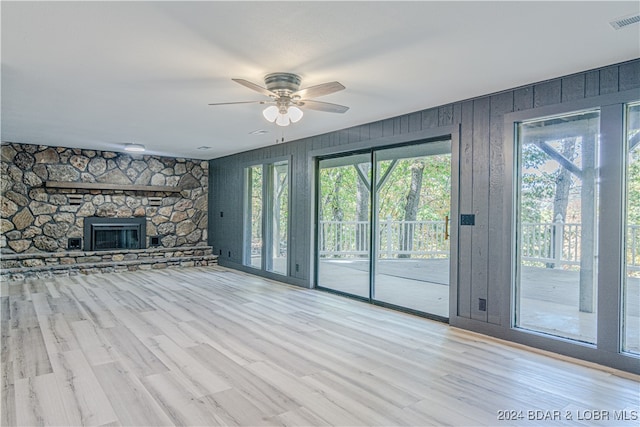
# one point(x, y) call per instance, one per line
point(37, 218)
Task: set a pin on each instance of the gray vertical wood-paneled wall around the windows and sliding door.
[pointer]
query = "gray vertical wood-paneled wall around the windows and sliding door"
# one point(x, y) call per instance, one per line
point(483, 160)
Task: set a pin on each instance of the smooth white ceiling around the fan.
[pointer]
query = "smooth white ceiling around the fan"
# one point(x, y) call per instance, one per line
point(98, 75)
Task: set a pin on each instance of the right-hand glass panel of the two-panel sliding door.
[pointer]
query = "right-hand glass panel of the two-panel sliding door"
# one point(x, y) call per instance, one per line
point(412, 203)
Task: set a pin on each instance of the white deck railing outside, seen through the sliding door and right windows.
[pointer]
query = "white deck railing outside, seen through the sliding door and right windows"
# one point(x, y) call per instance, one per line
point(553, 243)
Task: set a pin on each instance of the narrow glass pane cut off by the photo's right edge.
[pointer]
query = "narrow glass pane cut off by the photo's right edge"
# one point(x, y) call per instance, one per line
point(631, 291)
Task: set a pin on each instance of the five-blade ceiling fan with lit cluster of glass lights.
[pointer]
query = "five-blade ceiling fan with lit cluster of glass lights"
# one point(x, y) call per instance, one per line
point(287, 99)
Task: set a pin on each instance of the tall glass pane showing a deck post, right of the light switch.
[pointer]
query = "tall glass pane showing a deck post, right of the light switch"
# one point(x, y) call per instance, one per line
point(557, 217)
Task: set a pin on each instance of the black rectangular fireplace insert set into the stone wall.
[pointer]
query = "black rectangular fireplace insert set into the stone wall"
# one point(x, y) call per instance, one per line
point(102, 234)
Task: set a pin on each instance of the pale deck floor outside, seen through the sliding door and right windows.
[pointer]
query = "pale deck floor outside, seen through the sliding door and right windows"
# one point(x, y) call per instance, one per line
point(549, 303)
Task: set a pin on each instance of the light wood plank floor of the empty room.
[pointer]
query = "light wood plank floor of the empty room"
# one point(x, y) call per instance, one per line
point(210, 346)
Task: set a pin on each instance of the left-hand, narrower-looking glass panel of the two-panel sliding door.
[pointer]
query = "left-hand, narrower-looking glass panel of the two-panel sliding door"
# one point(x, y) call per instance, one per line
point(344, 224)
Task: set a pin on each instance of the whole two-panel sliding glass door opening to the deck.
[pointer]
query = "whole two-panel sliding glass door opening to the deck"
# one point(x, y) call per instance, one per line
point(403, 260)
